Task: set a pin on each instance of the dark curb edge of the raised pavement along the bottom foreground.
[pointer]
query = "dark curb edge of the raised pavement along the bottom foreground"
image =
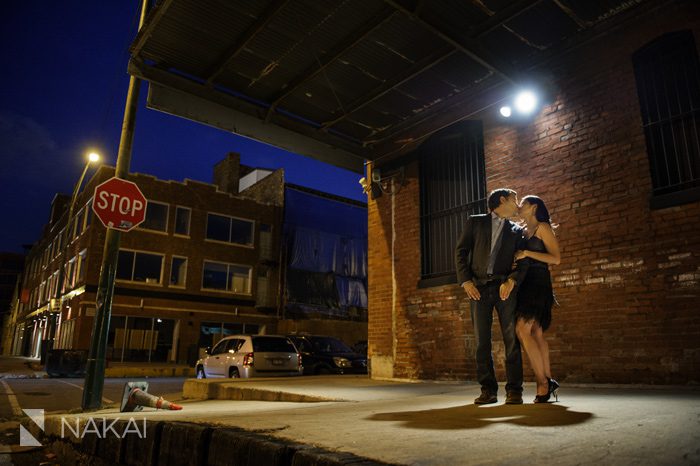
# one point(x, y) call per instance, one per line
point(188, 444)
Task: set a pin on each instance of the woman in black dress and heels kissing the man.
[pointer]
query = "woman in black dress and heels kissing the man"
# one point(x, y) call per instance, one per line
point(533, 311)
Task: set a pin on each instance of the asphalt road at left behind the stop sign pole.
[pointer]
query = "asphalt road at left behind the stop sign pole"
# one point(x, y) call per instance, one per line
point(65, 395)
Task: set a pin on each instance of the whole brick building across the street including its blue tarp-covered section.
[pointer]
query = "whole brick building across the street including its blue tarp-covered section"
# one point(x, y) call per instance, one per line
point(164, 294)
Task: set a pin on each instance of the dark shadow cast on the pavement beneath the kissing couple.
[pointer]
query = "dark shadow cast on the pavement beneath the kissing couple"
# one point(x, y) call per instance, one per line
point(474, 417)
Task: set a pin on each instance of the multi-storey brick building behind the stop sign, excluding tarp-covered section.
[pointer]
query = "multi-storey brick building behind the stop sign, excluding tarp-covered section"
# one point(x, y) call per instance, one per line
point(203, 264)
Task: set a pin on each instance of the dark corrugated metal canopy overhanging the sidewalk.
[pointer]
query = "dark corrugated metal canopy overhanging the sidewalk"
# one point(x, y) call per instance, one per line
point(345, 81)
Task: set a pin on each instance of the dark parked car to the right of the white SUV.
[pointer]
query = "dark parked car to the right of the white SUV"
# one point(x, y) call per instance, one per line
point(328, 355)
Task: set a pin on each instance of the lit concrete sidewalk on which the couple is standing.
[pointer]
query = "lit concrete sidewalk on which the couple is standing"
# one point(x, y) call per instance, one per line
point(422, 424)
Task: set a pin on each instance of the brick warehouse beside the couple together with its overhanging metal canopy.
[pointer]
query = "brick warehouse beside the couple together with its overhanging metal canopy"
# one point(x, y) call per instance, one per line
point(414, 88)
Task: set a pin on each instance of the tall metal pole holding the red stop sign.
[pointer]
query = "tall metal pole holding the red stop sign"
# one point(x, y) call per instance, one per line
point(95, 369)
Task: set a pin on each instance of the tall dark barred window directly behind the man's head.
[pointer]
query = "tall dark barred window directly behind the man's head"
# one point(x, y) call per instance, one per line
point(452, 187)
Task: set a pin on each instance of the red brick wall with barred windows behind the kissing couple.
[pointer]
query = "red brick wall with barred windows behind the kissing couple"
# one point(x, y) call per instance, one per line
point(629, 279)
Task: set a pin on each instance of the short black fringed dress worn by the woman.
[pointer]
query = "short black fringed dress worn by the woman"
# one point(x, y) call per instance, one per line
point(535, 297)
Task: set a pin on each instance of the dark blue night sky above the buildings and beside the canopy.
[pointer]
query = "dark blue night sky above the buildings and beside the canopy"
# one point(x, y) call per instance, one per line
point(63, 88)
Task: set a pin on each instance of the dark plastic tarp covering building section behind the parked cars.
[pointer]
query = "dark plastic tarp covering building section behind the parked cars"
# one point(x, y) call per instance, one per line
point(326, 243)
